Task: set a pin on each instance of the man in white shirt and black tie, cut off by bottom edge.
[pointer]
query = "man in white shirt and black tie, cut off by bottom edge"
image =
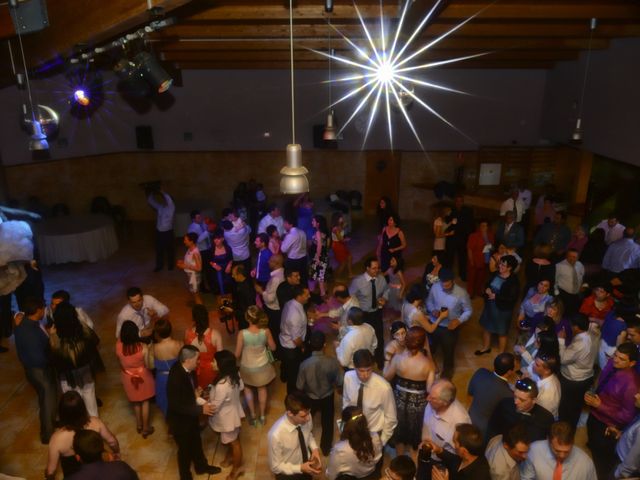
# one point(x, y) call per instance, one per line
point(292, 450)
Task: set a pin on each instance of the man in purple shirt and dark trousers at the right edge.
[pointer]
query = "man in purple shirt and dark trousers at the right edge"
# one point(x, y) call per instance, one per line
point(612, 405)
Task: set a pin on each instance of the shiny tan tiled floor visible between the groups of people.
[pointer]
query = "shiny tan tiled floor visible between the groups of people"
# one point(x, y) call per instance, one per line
point(100, 289)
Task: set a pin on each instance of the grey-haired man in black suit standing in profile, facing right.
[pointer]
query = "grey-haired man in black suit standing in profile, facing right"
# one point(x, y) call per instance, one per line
point(183, 414)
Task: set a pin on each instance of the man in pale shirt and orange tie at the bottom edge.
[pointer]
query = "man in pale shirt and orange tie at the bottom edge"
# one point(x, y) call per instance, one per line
point(558, 458)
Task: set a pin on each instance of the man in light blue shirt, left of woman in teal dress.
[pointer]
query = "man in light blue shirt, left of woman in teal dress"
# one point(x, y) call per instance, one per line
point(451, 303)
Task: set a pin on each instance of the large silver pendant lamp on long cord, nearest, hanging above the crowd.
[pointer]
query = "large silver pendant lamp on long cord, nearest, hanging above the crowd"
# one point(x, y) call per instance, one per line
point(293, 174)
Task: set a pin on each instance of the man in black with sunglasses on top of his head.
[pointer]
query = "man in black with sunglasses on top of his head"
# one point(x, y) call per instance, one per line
point(521, 409)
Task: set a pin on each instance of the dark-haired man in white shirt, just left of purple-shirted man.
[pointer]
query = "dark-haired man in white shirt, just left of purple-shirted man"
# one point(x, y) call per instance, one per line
point(576, 369)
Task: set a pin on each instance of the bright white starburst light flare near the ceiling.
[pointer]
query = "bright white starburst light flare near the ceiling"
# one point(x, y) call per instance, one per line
point(386, 71)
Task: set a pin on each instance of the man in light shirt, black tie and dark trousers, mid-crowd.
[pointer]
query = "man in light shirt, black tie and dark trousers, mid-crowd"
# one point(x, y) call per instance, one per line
point(372, 292)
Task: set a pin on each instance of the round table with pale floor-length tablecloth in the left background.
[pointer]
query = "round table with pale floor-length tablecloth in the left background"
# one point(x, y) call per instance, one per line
point(76, 238)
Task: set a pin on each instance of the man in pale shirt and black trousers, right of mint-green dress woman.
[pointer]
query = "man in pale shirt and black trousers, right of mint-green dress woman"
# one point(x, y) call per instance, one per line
point(293, 331)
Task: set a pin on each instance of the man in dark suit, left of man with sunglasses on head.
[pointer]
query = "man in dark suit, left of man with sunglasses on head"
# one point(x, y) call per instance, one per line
point(488, 388)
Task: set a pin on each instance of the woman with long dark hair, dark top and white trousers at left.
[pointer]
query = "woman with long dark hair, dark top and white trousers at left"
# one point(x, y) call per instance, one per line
point(74, 348)
